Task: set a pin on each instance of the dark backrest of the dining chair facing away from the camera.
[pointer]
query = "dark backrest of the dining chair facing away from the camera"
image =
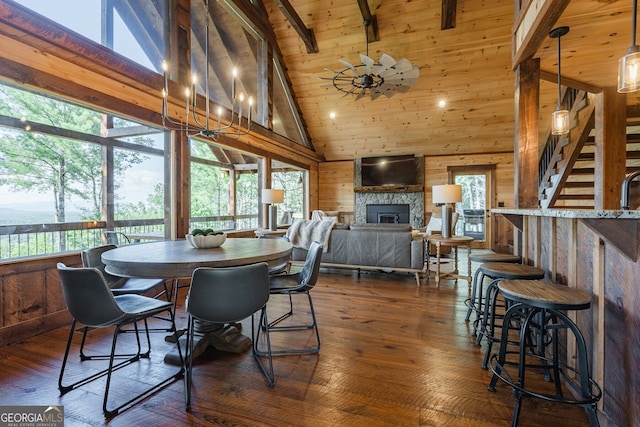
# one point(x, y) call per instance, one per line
point(223, 295)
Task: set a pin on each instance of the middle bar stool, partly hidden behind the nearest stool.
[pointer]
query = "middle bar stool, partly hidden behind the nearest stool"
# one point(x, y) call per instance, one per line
point(497, 271)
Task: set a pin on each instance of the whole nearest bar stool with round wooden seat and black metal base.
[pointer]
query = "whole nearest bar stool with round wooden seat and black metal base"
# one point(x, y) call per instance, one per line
point(535, 307)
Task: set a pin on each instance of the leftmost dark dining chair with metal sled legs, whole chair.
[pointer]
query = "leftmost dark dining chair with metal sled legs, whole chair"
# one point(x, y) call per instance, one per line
point(92, 304)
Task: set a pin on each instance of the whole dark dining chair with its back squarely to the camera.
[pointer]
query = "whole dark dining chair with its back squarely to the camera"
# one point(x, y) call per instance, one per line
point(229, 295)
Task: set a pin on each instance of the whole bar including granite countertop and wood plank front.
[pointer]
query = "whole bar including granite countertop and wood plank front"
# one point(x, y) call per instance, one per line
point(596, 251)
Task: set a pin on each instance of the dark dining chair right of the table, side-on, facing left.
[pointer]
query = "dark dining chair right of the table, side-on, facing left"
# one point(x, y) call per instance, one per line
point(298, 283)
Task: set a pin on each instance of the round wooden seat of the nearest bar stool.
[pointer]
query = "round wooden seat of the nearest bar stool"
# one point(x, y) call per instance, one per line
point(545, 295)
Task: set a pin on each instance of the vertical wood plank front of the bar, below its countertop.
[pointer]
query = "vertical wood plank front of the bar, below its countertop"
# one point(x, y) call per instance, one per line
point(576, 256)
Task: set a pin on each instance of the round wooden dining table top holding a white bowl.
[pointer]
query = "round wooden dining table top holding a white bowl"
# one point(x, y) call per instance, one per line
point(178, 259)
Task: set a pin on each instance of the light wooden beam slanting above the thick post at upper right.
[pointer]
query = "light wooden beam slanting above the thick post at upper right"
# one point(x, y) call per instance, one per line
point(532, 27)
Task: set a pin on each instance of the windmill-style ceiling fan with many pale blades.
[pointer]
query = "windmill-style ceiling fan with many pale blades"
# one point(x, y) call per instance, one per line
point(385, 77)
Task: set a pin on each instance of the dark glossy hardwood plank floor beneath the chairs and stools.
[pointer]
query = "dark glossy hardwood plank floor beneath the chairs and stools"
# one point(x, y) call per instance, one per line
point(392, 354)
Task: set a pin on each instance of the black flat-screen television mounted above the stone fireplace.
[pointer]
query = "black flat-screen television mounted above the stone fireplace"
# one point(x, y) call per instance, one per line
point(389, 170)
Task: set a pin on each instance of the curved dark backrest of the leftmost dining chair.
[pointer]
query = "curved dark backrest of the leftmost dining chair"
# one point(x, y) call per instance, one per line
point(88, 297)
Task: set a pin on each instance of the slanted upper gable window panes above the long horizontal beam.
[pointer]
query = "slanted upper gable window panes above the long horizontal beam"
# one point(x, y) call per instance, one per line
point(137, 30)
